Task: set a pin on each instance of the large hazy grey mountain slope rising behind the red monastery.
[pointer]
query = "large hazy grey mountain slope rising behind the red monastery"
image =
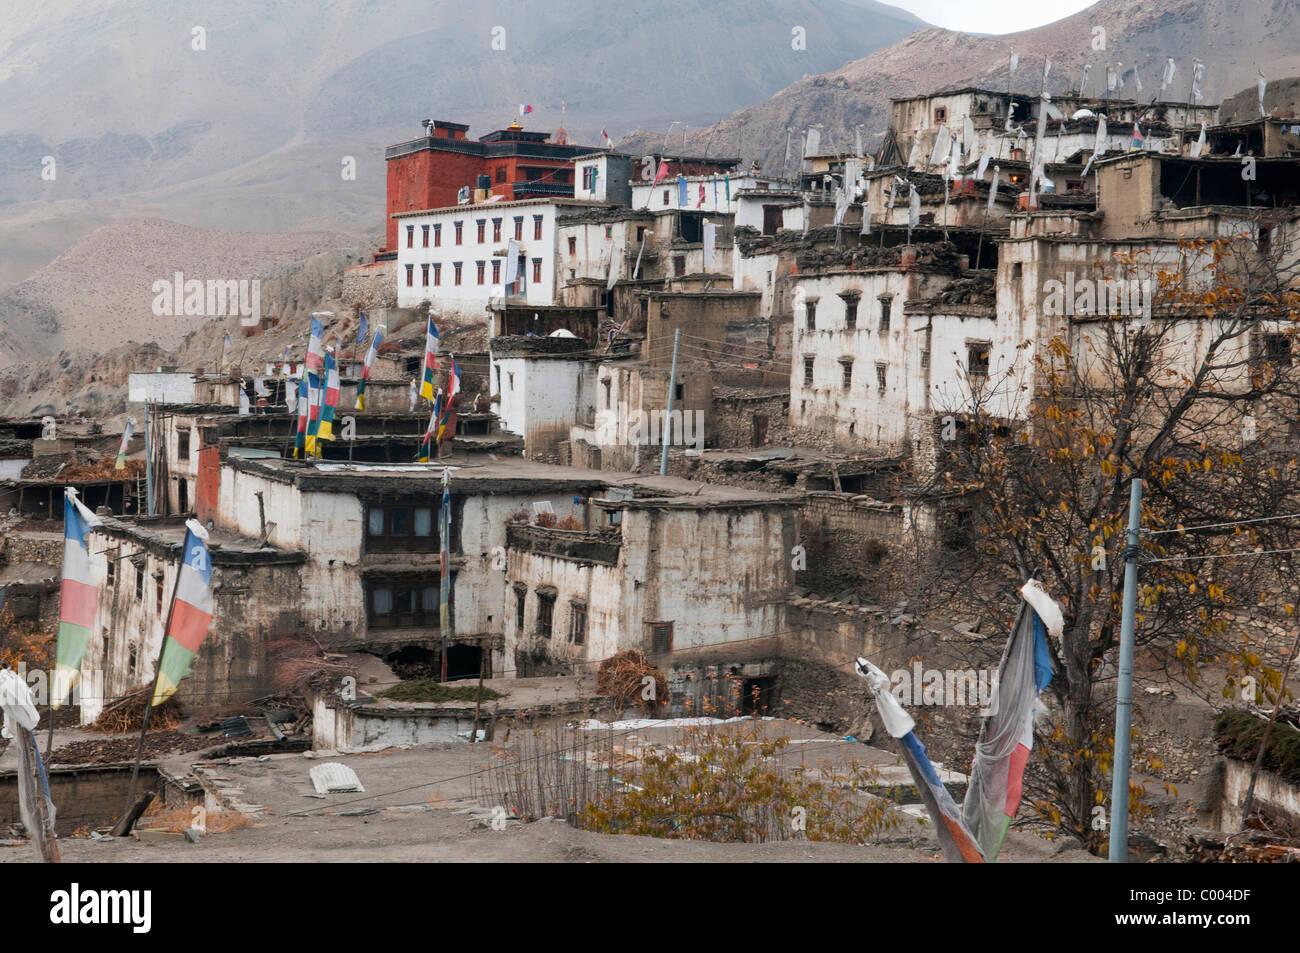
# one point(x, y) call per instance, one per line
point(252, 131)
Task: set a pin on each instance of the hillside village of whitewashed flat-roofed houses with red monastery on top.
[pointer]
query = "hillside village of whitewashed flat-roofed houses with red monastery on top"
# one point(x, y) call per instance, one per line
point(638, 454)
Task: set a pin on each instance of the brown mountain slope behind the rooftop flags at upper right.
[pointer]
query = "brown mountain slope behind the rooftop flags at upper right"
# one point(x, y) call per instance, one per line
point(1233, 38)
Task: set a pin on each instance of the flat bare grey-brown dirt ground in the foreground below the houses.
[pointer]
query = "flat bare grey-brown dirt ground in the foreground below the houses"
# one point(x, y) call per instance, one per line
point(423, 811)
